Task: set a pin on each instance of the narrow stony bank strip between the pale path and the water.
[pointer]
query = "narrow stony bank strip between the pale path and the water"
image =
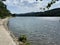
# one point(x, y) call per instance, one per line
point(5, 24)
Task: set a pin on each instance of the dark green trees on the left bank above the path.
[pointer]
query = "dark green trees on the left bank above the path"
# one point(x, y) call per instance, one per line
point(4, 12)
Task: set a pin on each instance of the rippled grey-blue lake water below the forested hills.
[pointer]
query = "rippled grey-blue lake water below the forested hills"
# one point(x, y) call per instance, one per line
point(39, 31)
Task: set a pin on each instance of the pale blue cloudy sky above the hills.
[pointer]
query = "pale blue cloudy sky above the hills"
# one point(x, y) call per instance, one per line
point(25, 6)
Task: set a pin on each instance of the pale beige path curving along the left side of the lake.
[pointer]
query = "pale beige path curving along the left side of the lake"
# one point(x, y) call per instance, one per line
point(5, 38)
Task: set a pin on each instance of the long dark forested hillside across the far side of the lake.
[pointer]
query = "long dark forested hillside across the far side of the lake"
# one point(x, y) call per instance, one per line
point(53, 12)
